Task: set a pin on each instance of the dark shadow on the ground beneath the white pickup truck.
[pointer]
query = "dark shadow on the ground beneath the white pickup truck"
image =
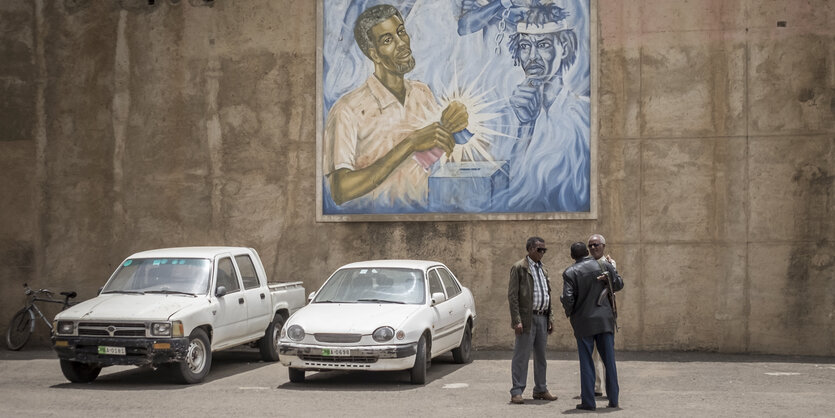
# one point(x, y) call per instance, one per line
point(224, 364)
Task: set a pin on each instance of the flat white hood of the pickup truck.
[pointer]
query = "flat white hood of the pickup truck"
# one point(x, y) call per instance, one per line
point(129, 307)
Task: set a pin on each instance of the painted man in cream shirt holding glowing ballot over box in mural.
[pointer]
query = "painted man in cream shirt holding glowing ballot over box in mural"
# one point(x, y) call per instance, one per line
point(380, 138)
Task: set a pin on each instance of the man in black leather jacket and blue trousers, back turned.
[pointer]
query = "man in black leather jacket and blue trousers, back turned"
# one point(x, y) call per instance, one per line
point(590, 311)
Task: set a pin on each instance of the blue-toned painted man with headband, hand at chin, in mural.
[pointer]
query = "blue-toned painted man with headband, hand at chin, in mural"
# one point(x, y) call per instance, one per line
point(550, 160)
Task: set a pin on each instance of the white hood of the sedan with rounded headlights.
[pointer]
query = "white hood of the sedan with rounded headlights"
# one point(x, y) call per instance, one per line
point(351, 318)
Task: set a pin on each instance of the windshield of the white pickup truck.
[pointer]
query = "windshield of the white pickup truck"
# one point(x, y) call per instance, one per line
point(161, 275)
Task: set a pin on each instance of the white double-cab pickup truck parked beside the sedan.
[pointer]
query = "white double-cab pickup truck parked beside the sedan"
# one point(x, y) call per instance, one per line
point(172, 308)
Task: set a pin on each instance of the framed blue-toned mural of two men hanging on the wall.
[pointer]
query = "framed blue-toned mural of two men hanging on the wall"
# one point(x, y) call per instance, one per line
point(456, 110)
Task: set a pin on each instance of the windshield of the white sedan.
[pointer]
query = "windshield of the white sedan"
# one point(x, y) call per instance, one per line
point(374, 285)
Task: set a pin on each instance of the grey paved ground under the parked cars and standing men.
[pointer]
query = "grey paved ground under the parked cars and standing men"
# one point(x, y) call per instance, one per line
point(652, 385)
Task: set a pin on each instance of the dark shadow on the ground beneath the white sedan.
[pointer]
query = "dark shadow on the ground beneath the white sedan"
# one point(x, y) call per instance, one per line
point(363, 381)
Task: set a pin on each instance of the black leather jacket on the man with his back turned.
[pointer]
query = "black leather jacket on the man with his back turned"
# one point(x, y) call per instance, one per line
point(581, 295)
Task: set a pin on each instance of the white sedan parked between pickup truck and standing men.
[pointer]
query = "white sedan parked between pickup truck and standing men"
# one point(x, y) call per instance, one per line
point(381, 315)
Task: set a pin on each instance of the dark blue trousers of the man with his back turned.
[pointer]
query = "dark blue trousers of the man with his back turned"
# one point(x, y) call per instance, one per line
point(606, 347)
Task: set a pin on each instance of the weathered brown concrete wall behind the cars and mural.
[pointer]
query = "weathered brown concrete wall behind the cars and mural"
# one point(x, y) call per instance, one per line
point(125, 126)
